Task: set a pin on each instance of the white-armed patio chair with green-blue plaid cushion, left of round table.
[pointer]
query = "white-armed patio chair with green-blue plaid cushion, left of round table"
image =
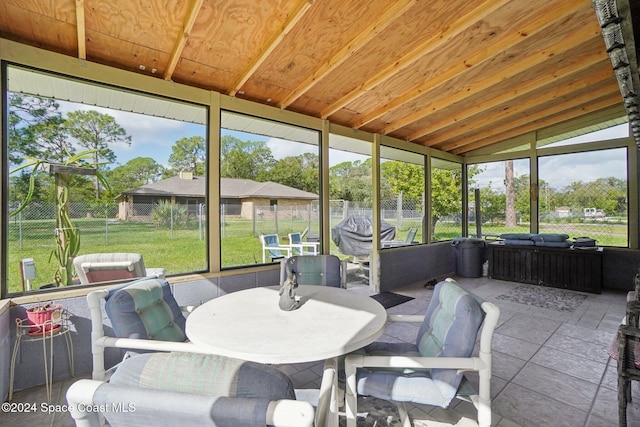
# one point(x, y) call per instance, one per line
point(144, 316)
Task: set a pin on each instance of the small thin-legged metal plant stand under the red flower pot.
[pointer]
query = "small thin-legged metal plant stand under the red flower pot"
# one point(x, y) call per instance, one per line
point(45, 333)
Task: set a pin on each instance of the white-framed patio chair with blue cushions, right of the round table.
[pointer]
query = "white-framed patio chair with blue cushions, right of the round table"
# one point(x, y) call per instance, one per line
point(429, 371)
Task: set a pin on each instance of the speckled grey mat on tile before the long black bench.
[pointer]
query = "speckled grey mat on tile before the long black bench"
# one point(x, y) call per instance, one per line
point(544, 297)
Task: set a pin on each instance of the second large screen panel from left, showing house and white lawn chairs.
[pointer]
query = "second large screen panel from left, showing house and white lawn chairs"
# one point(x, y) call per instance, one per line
point(273, 170)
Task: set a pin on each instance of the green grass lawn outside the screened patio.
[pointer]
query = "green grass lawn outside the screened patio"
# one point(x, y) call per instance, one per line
point(183, 251)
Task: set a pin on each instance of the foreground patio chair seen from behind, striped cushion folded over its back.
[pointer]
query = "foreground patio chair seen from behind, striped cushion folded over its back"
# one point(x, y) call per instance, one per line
point(171, 389)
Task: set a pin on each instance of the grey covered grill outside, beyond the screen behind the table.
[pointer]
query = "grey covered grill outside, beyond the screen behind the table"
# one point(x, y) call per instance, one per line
point(354, 235)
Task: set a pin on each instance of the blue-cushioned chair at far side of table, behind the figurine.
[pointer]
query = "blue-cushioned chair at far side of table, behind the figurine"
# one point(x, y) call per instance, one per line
point(323, 270)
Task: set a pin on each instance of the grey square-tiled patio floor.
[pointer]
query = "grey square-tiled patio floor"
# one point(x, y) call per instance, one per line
point(551, 367)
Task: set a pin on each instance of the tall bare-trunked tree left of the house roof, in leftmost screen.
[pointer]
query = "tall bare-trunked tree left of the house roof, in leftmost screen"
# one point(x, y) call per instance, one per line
point(95, 131)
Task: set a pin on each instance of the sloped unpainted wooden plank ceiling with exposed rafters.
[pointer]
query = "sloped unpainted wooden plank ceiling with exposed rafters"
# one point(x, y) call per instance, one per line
point(456, 75)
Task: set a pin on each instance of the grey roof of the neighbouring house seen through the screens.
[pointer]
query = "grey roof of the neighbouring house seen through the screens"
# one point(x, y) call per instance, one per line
point(230, 188)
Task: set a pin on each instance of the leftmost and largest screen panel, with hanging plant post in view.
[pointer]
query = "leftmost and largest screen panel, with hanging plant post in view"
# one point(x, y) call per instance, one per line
point(138, 144)
